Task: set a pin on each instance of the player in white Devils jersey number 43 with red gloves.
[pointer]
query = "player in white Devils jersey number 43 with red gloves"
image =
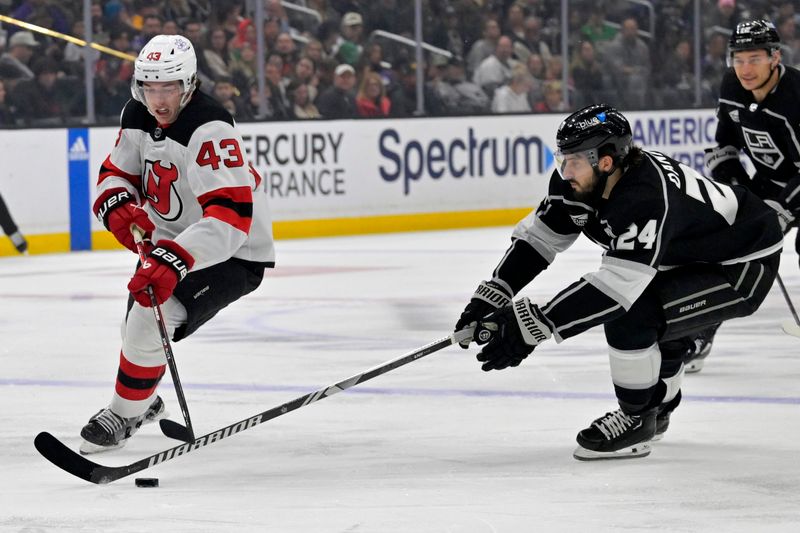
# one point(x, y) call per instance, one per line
point(177, 172)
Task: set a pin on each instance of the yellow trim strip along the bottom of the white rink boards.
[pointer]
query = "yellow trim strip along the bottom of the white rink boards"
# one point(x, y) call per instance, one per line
point(303, 229)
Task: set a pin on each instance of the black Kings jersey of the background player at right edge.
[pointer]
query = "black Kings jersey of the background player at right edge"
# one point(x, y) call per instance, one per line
point(768, 132)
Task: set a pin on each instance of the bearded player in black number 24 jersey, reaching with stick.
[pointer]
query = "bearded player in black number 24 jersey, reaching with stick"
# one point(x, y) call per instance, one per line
point(681, 253)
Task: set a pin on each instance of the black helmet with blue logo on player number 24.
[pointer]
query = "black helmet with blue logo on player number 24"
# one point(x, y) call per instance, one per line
point(596, 130)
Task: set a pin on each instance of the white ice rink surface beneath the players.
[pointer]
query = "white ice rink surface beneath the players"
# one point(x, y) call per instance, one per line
point(434, 446)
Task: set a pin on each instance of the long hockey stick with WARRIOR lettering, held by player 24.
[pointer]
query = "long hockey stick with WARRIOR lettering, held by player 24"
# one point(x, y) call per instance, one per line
point(63, 457)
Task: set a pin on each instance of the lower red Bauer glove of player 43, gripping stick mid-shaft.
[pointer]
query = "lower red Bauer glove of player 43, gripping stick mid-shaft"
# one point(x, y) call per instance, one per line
point(166, 265)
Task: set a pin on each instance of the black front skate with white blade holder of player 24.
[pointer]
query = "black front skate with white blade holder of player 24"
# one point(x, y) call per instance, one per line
point(617, 436)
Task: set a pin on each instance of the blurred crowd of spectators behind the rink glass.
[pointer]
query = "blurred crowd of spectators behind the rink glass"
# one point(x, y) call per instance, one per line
point(323, 59)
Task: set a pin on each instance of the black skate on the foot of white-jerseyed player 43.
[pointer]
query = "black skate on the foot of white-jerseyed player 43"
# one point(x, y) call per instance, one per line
point(107, 431)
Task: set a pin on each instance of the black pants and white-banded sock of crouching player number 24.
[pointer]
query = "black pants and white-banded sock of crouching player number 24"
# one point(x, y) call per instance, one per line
point(647, 344)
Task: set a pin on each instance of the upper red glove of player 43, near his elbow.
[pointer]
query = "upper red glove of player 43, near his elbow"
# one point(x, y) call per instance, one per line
point(117, 210)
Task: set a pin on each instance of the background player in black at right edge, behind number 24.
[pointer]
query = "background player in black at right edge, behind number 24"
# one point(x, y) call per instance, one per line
point(758, 112)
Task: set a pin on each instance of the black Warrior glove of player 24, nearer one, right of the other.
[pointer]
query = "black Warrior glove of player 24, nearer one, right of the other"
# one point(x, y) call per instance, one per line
point(510, 334)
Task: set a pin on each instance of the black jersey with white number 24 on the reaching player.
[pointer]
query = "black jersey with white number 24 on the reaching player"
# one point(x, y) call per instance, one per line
point(661, 214)
